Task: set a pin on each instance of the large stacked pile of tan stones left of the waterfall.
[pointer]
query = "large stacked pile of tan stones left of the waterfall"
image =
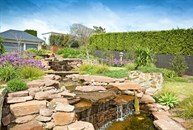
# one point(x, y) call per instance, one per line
point(42, 106)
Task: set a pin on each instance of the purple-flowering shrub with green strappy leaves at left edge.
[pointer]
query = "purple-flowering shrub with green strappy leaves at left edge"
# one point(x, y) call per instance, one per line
point(13, 65)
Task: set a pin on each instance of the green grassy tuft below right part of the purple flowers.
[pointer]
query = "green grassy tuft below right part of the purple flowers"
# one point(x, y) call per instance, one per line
point(30, 72)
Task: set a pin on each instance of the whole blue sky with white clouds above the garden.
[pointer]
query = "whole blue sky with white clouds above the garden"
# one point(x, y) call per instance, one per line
point(114, 15)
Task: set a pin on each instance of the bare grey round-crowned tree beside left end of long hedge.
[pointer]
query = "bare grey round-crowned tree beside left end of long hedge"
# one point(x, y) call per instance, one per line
point(81, 33)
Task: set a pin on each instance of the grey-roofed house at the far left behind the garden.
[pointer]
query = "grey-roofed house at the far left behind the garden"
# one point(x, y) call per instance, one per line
point(15, 40)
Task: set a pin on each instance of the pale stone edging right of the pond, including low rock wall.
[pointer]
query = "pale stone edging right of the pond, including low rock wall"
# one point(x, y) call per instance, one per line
point(145, 84)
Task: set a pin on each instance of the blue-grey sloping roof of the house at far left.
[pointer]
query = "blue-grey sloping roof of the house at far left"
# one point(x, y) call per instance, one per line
point(16, 34)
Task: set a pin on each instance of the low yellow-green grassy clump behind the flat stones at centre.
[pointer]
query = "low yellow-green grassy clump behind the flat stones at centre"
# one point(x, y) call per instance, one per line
point(93, 69)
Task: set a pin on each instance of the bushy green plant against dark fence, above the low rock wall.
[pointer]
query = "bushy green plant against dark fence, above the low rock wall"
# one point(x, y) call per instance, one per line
point(144, 57)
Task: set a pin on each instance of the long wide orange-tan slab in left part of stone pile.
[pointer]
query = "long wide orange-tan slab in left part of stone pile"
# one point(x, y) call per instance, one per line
point(27, 108)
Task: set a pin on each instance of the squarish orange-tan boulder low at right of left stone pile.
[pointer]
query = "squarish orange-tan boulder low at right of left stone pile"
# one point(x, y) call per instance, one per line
point(63, 118)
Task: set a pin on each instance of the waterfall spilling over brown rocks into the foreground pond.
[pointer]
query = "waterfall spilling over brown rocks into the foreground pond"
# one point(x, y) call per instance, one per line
point(109, 110)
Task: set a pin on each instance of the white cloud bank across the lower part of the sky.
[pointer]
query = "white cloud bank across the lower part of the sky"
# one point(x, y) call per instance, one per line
point(54, 19)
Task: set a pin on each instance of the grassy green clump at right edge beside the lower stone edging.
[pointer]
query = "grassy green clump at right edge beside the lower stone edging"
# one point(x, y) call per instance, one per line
point(186, 107)
